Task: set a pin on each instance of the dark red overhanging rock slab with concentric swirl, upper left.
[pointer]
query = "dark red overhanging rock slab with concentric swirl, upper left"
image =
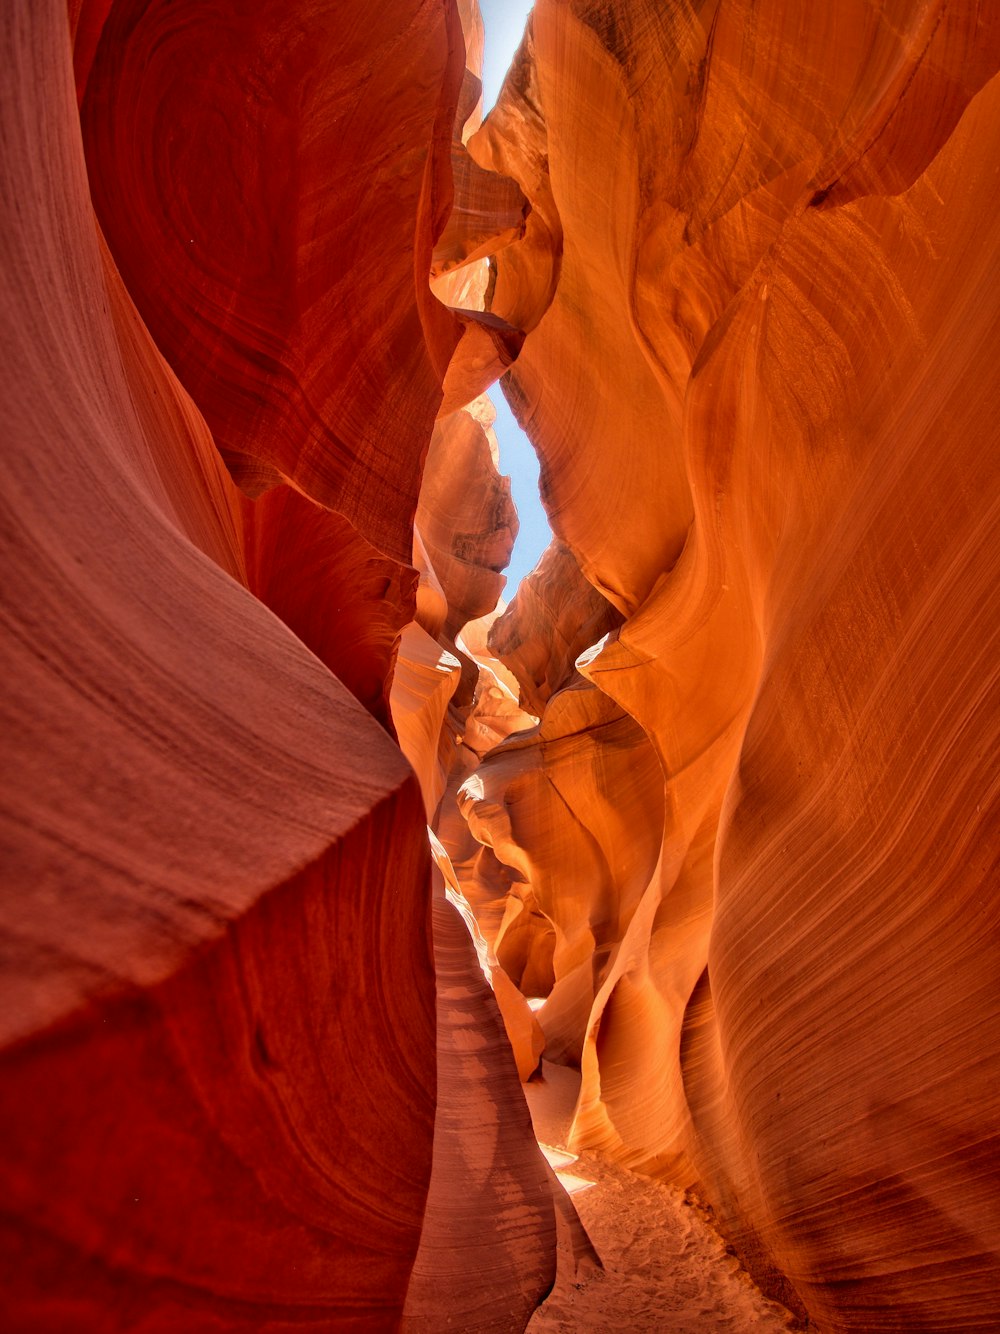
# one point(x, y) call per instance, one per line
point(247, 171)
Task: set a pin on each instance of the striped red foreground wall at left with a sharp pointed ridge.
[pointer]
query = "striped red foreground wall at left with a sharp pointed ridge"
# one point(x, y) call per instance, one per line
point(179, 848)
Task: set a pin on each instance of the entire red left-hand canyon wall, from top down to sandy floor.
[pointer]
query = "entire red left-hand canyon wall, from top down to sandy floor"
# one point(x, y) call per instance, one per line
point(226, 1057)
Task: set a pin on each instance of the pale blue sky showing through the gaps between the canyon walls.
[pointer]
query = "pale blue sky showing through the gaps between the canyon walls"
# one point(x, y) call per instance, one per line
point(505, 25)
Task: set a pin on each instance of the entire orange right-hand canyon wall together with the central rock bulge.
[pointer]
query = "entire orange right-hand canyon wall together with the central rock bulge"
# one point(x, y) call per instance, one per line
point(761, 290)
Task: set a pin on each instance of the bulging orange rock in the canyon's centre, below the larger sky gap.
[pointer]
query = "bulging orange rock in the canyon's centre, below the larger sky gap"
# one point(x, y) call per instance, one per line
point(559, 808)
